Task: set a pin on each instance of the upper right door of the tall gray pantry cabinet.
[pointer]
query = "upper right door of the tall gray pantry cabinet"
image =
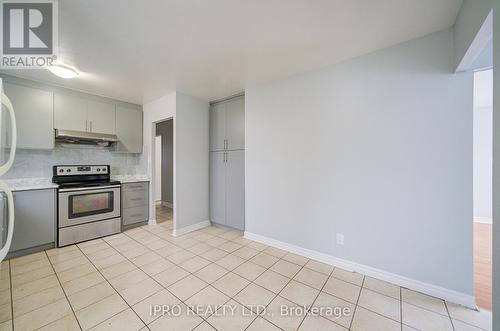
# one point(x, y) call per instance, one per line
point(235, 123)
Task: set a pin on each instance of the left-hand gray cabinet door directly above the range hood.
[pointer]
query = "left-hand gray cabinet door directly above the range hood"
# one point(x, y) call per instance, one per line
point(70, 113)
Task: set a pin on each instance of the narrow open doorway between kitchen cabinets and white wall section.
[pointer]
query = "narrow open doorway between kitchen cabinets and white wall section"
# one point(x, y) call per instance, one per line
point(164, 172)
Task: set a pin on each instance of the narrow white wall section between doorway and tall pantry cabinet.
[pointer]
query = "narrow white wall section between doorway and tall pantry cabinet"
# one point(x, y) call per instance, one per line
point(191, 161)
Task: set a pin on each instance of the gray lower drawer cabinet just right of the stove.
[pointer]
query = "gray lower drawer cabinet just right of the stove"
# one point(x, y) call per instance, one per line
point(135, 204)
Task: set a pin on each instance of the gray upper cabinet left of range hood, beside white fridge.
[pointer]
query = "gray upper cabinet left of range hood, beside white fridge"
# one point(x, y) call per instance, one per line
point(34, 116)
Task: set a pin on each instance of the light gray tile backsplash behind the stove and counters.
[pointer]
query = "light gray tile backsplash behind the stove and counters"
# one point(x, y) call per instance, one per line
point(38, 163)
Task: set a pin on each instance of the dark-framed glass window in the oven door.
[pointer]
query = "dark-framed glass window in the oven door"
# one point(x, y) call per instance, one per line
point(87, 204)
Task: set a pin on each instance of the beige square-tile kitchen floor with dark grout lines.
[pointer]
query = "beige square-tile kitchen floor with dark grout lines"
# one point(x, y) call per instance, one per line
point(112, 283)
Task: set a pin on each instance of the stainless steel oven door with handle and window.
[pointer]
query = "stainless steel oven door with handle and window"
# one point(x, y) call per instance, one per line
point(84, 205)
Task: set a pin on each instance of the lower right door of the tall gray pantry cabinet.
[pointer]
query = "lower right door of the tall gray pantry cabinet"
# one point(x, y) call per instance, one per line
point(235, 189)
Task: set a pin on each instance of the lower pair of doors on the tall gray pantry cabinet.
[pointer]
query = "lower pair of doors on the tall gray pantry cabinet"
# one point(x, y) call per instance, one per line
point(227, 188)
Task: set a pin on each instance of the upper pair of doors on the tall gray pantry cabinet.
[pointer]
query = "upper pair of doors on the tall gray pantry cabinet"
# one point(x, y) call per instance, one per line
point(227, 125)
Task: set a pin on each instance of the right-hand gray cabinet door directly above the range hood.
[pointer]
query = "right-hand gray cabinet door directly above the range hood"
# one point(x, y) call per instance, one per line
point(101, 117)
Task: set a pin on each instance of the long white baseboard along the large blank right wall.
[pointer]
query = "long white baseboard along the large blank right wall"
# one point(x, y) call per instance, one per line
point(412, 284)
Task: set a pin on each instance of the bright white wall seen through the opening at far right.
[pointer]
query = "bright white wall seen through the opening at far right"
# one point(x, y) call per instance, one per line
point(483, 140)
